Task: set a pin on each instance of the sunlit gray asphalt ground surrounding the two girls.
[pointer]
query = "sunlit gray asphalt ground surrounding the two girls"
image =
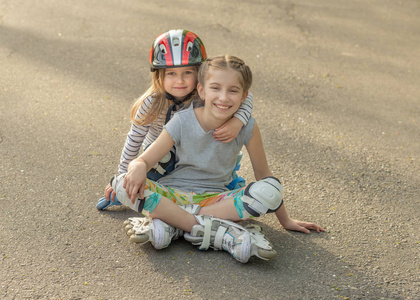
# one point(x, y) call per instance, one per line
point(336, 96)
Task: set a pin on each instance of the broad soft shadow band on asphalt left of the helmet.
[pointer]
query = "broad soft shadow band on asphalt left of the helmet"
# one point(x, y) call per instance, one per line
point(106, 65)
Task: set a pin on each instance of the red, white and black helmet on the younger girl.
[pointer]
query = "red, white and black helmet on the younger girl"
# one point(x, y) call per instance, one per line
point(177, 48)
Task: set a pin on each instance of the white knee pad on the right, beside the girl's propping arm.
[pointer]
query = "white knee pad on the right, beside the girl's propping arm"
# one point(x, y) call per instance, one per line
point(263, 196)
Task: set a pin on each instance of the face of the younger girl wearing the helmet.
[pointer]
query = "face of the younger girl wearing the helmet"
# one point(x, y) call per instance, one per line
point(179, 82)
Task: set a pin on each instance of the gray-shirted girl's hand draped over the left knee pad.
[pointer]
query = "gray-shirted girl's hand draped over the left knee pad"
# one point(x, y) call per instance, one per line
point(135, 180)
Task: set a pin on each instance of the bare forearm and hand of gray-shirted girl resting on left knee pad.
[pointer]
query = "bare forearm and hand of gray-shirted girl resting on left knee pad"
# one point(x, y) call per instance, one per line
point(135, 180)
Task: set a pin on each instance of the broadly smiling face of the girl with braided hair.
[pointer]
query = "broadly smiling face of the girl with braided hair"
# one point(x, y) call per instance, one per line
point(222, 93)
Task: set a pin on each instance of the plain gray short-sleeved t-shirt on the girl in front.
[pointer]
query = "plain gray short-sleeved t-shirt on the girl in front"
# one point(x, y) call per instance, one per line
point(202, 163)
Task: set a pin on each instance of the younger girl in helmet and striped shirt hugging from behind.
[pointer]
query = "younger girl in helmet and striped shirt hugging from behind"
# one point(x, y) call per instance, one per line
point(175, 57)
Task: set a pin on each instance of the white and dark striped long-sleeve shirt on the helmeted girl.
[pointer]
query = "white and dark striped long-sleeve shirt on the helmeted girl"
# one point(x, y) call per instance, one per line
point(147, 134)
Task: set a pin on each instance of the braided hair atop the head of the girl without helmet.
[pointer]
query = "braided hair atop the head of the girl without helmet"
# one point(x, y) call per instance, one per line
point(225, 62)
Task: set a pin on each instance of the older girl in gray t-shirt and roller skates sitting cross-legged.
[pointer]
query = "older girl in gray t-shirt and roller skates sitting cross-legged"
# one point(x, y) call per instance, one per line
point(203, 168)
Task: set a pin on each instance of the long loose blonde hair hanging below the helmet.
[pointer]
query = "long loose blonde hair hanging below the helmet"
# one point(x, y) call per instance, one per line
point(160, 103)
